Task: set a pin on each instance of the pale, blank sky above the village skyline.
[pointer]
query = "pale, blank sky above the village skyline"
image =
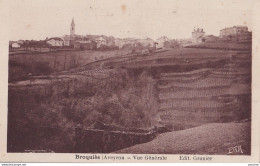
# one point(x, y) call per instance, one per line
point(38, 19)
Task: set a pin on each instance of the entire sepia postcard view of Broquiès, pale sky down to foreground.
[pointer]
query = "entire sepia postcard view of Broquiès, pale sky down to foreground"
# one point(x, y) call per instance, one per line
point(130, 77)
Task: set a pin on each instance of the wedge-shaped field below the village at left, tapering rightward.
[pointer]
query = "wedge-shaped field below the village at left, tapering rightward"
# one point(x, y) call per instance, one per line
point(22, 65)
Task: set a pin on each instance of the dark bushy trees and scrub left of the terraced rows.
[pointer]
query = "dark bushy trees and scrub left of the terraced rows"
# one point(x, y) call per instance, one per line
point(119, 100)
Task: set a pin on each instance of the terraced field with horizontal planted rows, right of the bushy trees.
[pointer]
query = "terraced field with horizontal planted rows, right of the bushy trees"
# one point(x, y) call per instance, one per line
point(206, 95)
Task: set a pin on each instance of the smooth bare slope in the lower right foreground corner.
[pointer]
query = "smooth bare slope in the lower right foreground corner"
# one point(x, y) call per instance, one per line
point(215, 138)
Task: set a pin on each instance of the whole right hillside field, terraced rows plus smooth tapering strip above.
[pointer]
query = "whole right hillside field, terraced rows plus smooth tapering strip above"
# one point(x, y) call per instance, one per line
point(197, 86)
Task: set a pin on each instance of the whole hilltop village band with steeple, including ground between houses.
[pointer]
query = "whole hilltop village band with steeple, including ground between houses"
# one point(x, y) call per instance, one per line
point(235, 34)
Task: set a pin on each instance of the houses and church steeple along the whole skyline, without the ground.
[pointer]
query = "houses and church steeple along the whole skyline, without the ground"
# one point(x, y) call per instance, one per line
point(91, 42)
